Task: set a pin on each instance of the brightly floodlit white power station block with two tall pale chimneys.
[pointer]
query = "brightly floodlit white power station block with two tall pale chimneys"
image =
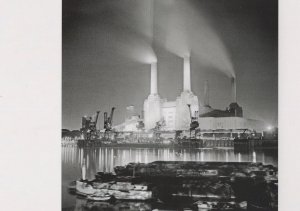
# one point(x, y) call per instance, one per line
point(173, 115)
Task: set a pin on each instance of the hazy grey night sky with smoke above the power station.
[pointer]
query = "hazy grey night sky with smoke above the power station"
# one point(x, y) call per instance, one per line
point(107, 44)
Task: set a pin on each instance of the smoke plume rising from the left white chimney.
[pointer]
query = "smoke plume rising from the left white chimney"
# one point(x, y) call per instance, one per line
point(137, 31)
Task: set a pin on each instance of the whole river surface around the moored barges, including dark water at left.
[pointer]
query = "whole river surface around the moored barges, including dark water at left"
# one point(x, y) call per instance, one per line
point(106, 158)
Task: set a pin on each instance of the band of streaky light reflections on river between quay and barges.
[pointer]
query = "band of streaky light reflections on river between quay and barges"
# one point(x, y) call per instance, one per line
point(105, 159)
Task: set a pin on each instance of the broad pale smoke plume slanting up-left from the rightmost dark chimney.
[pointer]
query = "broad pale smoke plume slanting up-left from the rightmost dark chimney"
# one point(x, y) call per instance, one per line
point(186, 31)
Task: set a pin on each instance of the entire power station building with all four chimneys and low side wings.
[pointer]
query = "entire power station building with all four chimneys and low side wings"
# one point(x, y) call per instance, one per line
point(159, 113)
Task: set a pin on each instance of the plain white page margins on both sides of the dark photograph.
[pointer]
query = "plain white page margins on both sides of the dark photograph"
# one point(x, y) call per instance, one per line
point(30, 105)
